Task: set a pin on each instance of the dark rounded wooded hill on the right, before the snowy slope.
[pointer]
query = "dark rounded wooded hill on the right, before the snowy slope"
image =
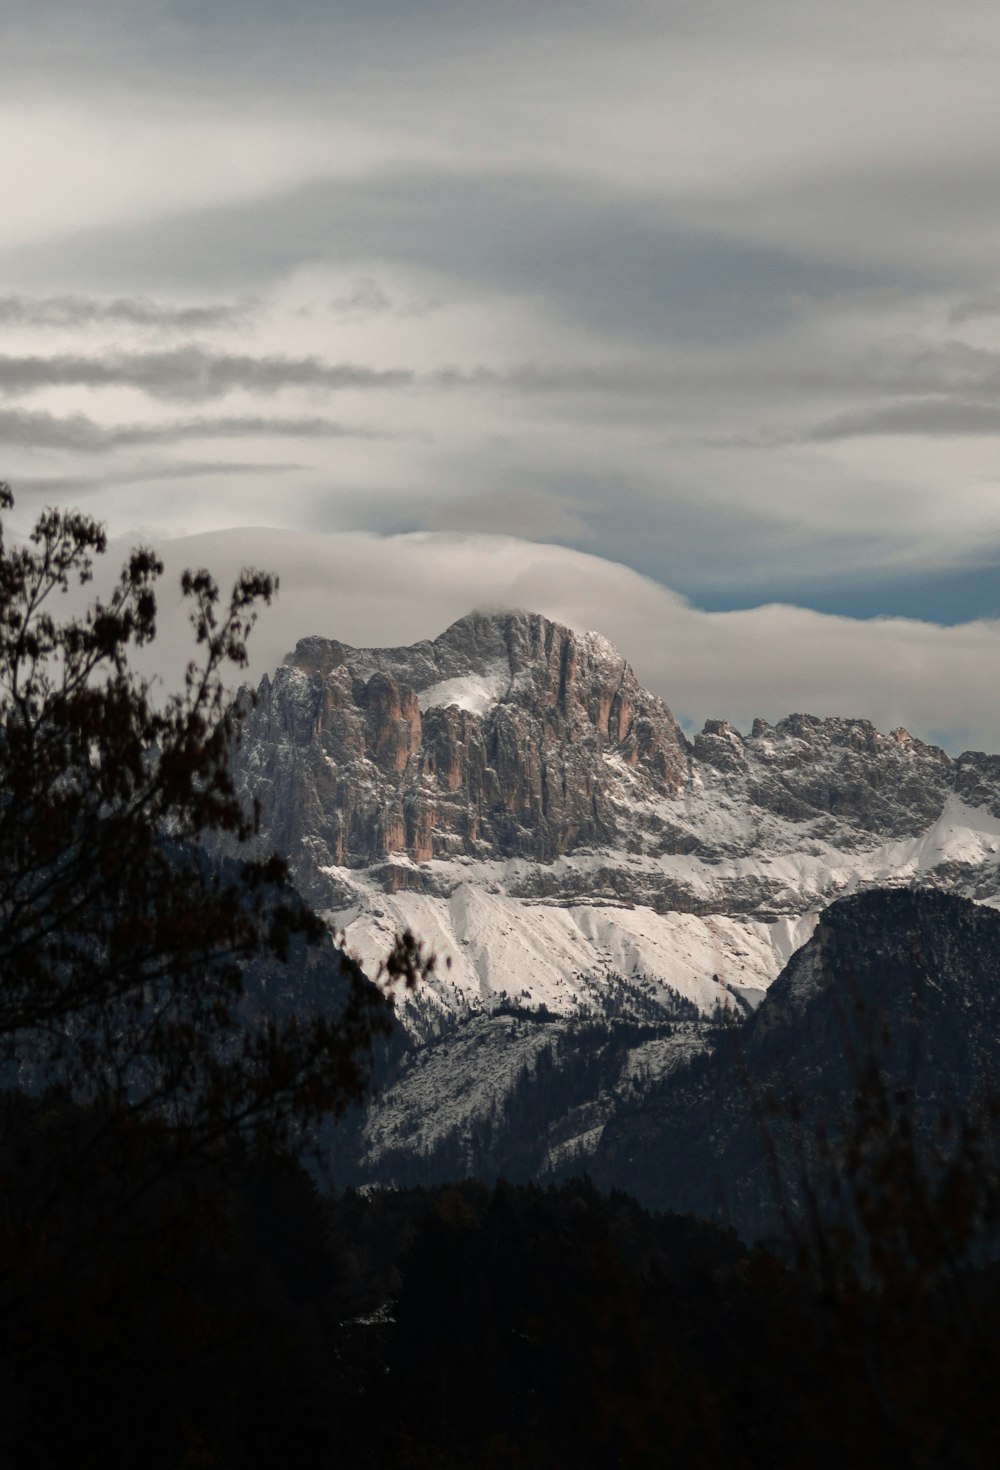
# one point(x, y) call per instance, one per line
point(887, 1018)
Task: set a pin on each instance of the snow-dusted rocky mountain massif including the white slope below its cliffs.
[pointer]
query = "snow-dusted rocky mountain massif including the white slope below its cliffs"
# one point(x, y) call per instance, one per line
point(517, 799)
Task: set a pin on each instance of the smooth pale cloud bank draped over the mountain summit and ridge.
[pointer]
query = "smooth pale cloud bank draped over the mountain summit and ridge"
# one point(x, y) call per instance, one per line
point(368, 590)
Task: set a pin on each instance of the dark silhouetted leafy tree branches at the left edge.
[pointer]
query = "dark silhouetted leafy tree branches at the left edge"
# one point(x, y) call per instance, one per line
point(123, 944)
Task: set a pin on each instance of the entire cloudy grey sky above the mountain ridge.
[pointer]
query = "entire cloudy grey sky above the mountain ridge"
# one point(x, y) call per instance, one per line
point(689, 308)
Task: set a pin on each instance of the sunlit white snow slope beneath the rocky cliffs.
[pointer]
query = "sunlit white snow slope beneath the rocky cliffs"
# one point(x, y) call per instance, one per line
point(542, 952)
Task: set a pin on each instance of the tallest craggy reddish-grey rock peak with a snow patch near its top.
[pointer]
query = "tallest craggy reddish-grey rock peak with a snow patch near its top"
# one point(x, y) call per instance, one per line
point(505, 737)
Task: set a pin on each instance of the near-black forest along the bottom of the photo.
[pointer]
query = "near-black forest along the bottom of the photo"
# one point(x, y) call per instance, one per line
point(511, 1327)
